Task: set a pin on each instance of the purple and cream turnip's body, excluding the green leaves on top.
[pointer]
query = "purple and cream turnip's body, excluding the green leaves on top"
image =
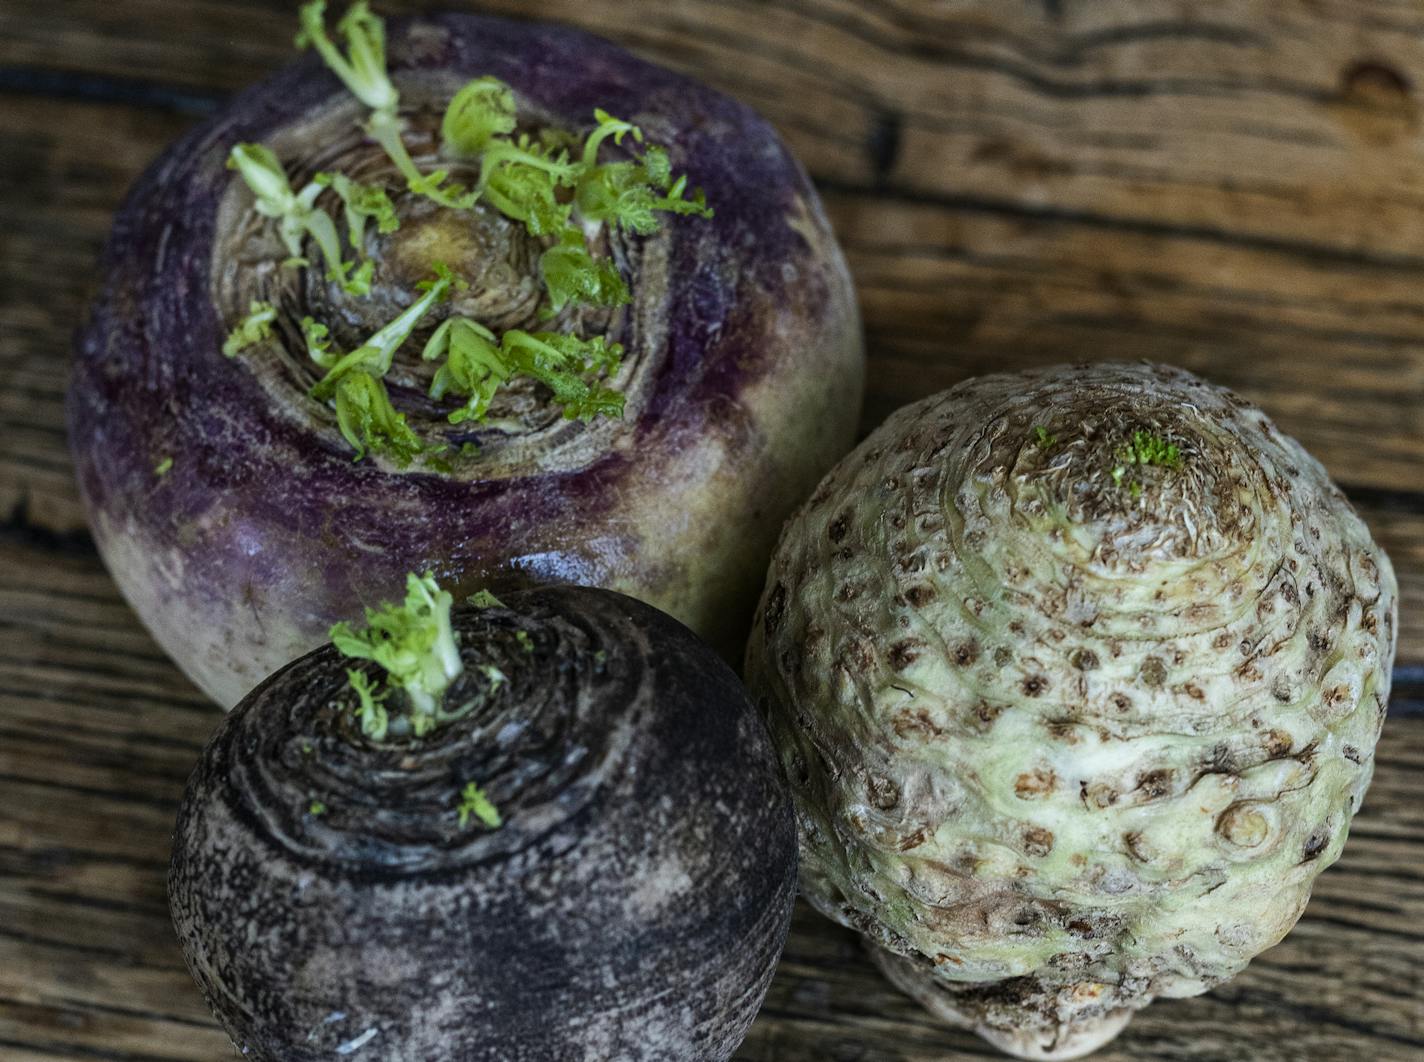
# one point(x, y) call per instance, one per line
point(743, 375)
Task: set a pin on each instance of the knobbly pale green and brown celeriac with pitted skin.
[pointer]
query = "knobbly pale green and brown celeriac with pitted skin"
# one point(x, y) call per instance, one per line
point(1077, 677)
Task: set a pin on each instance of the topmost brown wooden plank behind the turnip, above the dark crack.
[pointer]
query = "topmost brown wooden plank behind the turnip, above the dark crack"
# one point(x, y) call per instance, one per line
point(1248, 119)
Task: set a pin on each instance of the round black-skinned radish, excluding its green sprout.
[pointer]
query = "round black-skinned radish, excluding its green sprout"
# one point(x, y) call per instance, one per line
point(632, 906)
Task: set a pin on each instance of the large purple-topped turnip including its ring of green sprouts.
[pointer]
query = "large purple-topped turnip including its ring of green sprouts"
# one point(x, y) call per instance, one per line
point(458, 317)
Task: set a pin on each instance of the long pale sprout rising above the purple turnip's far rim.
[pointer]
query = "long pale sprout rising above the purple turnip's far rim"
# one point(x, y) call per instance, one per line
point(364, 72)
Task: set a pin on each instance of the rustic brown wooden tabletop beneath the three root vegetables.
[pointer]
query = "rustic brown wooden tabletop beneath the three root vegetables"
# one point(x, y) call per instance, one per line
point(1234, 187)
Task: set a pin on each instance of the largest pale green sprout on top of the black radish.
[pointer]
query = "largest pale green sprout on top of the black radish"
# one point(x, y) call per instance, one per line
point(414, 643)
